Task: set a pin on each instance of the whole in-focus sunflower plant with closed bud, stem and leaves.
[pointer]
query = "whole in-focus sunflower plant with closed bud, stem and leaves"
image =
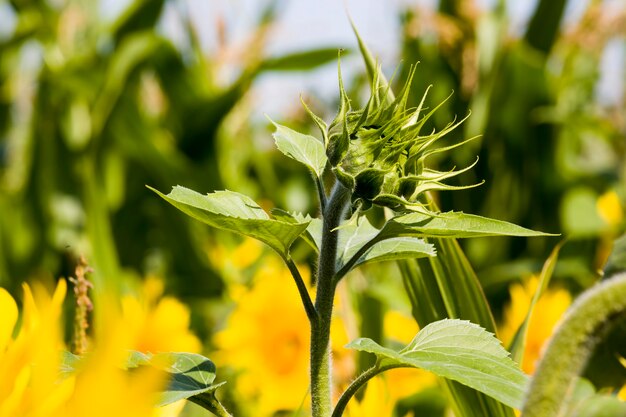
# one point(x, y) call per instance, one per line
point(377, 155)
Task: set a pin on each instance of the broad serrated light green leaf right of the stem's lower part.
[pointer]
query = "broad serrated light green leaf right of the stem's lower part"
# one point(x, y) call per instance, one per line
point(461, 351)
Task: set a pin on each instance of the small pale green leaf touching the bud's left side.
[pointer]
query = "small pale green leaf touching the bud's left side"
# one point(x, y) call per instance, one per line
point(303, 148)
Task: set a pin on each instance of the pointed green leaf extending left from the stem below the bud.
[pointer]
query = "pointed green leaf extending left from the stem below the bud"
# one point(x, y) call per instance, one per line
point(228, 210)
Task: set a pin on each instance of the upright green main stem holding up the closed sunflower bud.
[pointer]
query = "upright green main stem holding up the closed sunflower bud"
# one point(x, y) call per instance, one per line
point(320, 330)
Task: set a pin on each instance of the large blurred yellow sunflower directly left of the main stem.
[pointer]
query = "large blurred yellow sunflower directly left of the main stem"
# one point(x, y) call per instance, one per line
point(267, 339)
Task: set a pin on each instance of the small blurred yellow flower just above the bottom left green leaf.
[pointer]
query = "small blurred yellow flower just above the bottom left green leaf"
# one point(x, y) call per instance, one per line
point(160, 324)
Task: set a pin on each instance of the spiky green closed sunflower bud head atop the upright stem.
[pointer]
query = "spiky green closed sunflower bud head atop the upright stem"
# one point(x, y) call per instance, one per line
point(379, 151)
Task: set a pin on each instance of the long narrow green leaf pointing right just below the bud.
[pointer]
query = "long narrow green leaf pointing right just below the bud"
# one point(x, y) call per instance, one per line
point(453, 225)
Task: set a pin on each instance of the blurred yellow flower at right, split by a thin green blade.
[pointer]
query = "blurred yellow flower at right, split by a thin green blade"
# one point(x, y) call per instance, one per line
point(548, 310)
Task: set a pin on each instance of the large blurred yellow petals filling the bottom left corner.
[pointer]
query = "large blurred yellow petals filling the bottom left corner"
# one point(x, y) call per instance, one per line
point(31, 384)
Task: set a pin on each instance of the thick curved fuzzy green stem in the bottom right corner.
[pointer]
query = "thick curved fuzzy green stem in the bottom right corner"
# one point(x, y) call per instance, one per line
point(572, 344)
